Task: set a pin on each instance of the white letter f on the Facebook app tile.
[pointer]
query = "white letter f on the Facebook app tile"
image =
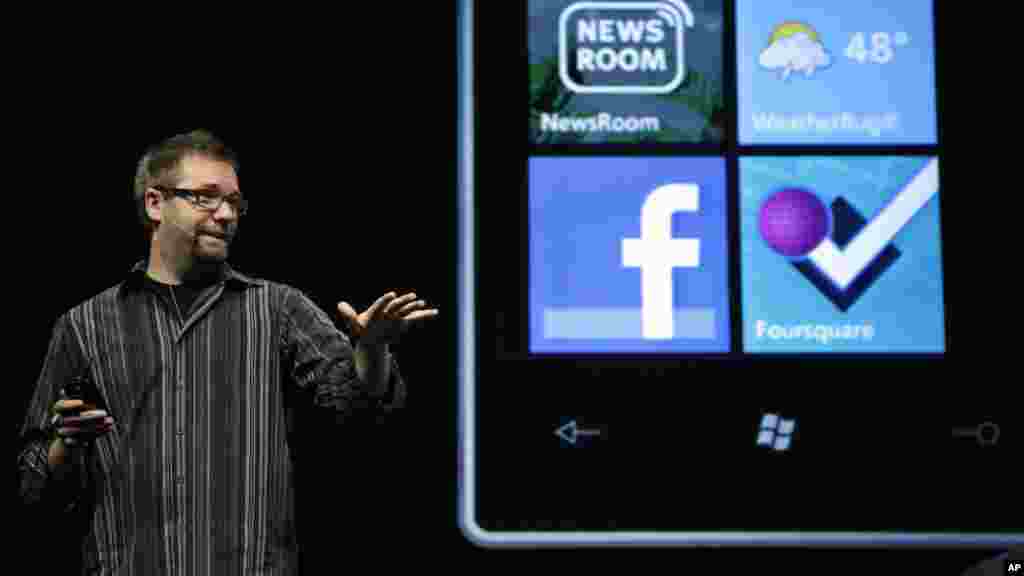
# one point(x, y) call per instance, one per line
point(657, 253)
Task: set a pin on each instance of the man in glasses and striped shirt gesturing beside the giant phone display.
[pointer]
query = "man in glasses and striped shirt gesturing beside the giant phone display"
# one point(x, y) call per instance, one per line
point(202, 376)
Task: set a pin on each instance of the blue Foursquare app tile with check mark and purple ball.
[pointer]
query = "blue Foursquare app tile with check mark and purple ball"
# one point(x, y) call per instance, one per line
point(841, 255)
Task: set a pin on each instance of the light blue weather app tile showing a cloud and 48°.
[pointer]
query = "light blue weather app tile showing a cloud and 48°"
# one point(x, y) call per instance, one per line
point(844, 73)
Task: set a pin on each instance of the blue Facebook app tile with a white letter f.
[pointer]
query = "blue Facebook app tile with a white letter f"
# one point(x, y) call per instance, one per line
point(628, 256)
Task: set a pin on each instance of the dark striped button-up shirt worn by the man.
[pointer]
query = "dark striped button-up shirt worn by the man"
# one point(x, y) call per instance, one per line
point(197, 476)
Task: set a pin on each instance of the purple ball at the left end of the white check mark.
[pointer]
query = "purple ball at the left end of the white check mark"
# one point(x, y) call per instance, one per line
point(794, 222)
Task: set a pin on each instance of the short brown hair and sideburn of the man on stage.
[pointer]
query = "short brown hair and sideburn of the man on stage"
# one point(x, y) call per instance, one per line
point(161, 166)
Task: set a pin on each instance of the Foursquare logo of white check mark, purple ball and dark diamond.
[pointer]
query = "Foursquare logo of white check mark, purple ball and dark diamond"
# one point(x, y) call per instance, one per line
point(836, 249)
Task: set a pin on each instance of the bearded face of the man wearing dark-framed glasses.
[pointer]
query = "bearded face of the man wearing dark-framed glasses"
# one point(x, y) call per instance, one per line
point(185, 227)
